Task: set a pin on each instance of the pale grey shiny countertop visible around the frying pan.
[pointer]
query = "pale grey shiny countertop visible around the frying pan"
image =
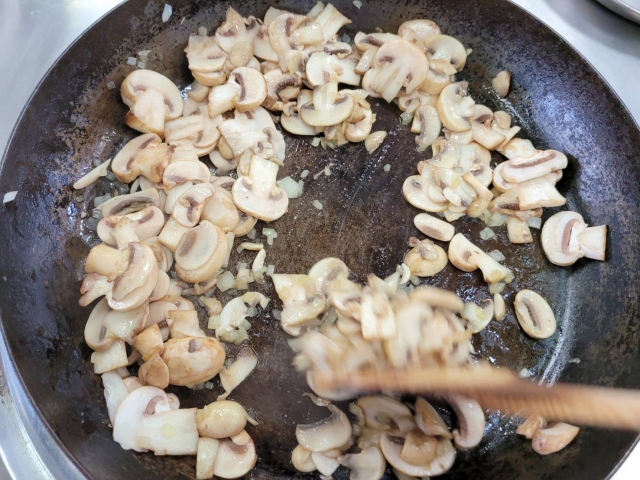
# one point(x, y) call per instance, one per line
point(35, 32)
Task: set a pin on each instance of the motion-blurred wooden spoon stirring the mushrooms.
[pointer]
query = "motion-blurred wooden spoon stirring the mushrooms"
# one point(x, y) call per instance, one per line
point(501, 390)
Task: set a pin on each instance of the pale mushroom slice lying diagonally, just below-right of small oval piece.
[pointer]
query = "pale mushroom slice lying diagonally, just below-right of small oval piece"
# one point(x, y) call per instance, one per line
point(467, 257)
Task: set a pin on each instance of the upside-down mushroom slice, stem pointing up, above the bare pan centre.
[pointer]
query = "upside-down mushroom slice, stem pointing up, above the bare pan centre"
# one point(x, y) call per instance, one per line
point(328, 106)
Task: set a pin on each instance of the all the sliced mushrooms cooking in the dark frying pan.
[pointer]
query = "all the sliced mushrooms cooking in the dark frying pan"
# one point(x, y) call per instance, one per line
point(172, 235)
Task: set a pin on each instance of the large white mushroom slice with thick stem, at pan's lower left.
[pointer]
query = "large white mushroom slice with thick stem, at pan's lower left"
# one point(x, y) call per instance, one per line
point(144, 421)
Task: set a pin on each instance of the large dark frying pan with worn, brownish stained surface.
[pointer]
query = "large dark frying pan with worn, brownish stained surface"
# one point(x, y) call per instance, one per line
point(74, 119)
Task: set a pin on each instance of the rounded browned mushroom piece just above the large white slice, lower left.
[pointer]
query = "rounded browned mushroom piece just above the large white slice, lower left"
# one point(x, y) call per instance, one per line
point(193, 360)
